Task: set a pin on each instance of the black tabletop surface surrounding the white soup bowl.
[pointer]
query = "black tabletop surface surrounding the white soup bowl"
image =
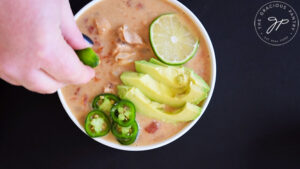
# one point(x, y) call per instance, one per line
point(252, 122)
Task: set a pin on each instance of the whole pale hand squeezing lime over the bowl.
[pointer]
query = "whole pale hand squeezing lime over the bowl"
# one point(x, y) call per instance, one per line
point(37, 39)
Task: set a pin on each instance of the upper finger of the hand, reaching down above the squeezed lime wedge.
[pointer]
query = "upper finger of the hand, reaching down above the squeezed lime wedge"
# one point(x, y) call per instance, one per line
point(69, 28)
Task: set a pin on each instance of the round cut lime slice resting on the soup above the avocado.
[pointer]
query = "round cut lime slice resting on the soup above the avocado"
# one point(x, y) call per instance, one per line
point(171, 41)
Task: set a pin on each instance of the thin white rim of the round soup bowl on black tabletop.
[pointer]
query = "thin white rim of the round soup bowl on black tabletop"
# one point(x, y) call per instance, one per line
point(189, 126)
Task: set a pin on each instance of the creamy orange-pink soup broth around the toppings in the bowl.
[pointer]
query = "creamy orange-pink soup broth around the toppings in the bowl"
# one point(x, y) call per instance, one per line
point(137, 15)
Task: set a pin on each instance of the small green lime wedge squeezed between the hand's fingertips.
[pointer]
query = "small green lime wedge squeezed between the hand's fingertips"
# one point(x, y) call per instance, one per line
point(88, 57)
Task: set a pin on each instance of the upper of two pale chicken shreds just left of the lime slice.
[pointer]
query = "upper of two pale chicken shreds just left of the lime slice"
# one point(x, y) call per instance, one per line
point(129, 37)
